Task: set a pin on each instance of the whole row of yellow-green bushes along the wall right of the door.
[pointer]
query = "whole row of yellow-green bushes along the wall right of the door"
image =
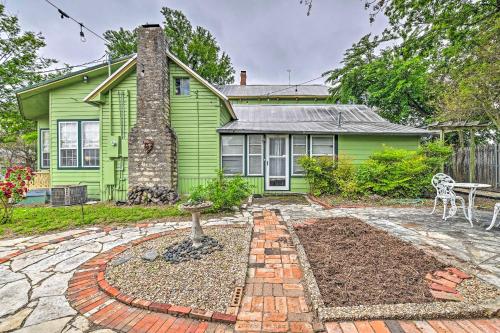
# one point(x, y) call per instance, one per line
point(389, 172)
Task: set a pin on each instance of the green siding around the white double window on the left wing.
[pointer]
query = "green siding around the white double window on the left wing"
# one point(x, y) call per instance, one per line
point(66, 103)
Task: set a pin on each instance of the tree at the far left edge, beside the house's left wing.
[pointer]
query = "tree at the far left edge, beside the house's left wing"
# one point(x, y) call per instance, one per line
point(20, 65)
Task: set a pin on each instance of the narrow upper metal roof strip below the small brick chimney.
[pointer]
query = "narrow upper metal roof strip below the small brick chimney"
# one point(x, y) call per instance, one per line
point(313, 90)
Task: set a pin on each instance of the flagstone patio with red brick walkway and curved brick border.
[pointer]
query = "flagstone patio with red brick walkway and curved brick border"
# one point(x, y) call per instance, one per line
point(35, 272)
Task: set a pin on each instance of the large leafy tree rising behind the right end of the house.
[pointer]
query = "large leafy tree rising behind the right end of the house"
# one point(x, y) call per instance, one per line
point(402, 70)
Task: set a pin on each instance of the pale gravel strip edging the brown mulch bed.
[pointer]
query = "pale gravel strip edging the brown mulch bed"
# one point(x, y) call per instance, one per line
point(480, 299)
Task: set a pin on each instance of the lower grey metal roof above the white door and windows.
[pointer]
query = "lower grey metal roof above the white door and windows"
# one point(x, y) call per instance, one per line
point(313, 119)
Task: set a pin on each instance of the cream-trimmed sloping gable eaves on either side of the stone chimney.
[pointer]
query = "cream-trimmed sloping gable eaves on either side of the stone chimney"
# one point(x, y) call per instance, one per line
point(126, 67)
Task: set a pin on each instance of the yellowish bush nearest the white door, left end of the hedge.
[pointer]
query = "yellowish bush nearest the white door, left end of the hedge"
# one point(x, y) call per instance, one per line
point(330, 176)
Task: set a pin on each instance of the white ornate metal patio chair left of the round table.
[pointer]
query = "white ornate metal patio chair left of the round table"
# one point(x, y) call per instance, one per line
point(444, 191)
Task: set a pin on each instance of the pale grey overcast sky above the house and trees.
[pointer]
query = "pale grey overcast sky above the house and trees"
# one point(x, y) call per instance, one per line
point(264, 37)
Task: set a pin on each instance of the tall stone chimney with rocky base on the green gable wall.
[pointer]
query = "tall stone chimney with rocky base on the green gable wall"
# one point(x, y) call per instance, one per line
point(152, 162)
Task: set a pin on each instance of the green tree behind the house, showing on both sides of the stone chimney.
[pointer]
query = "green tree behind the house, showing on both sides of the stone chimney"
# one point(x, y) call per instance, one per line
point(196, 47)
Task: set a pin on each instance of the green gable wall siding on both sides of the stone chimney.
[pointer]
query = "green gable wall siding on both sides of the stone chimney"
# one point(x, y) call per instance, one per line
point(194, 119)
